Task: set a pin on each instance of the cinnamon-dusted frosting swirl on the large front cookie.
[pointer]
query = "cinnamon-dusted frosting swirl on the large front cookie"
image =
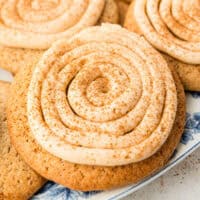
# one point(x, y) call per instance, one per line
point(104, 97)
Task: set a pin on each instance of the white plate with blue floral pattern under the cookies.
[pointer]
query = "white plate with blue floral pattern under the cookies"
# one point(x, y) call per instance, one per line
point(189, 142)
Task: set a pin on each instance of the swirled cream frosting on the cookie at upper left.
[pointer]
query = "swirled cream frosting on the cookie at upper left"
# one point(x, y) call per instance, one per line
point(36, 24)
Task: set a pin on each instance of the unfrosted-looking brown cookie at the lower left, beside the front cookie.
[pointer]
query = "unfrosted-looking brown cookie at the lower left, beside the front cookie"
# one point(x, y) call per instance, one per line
point(17, 180)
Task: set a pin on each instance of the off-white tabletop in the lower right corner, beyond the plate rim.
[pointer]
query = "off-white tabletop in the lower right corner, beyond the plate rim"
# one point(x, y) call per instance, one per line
point(180, 183)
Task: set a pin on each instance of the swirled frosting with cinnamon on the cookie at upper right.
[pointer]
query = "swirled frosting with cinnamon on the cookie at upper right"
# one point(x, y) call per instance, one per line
point(172, 26)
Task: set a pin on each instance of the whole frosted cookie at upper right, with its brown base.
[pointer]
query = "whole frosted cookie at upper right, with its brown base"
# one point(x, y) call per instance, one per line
point(175, 33)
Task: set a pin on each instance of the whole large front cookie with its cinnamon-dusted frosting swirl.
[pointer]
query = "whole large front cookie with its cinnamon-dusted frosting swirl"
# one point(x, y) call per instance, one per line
point(100, 110)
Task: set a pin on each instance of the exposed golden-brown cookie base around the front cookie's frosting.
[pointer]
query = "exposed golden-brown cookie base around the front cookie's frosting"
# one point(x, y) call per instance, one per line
point(79, 176)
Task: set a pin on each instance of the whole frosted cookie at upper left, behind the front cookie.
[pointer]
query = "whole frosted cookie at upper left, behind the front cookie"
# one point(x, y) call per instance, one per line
point(29, 28)
